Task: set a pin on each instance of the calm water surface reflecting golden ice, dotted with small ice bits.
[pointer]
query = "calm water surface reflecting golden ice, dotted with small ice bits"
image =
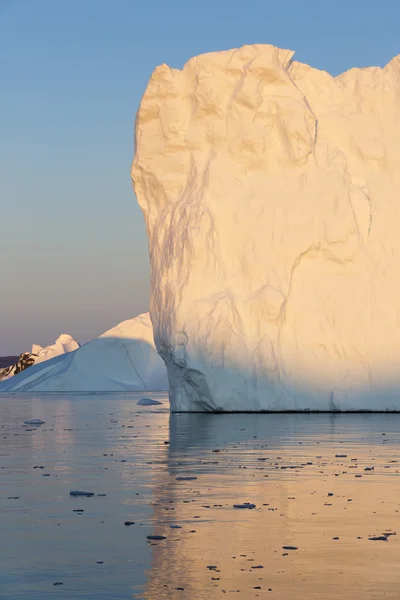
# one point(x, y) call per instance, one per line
point(313, 478)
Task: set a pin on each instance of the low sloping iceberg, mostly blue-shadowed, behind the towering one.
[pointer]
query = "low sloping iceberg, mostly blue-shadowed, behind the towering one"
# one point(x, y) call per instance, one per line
point(121, 359)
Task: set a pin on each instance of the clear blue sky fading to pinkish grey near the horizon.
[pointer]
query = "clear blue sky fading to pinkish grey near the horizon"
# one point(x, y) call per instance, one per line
point(73, 245)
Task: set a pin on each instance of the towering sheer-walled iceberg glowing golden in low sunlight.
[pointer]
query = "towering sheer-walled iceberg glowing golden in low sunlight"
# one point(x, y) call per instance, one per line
point(271, 194)
